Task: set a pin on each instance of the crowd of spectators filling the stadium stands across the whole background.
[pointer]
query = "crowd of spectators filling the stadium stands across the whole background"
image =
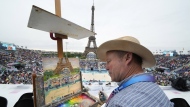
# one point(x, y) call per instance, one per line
point(17, 66)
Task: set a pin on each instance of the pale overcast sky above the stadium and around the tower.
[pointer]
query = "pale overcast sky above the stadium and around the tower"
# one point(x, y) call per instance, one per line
point(157, 24)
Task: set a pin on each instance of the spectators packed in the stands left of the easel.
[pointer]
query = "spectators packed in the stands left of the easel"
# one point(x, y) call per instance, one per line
point(17, 66)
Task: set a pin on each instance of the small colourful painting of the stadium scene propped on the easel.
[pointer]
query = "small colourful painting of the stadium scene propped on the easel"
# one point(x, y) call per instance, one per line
point(58, 86)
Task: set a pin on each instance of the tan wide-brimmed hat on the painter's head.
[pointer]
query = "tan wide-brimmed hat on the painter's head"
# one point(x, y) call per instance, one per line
point(129, 44)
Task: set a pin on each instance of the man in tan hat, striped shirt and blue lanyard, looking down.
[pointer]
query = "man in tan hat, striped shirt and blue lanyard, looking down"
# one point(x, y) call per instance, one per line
point(126, 58)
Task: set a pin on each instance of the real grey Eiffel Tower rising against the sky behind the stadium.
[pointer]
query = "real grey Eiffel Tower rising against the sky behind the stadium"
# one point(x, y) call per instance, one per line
point(91, 39)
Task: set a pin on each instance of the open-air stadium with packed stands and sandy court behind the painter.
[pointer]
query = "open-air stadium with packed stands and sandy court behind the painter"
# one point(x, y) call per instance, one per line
point(17, 66)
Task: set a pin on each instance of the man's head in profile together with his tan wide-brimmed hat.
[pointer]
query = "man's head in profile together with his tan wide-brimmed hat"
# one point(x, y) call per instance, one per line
point(125, 57)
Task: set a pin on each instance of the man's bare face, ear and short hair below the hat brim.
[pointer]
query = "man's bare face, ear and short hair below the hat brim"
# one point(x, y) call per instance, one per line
point(122, 64)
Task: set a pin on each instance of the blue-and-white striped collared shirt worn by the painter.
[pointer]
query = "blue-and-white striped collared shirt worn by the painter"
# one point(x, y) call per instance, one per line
point(141, 94)
